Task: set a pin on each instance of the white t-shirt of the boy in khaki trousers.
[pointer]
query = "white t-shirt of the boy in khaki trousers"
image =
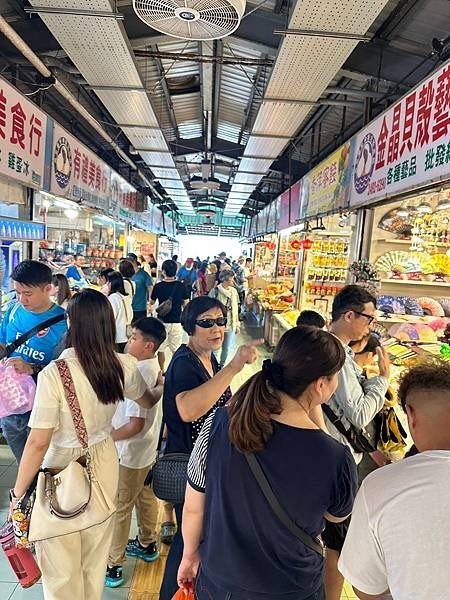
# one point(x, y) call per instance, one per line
point(140, 450)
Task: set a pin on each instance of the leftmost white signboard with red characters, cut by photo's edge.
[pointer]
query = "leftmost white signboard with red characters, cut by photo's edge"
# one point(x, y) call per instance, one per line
point(23, 135)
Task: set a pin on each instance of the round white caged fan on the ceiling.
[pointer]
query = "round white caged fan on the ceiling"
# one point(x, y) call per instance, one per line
point(191, 19)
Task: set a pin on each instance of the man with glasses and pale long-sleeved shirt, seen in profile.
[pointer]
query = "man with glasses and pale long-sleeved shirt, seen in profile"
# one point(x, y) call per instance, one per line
point(355, 402)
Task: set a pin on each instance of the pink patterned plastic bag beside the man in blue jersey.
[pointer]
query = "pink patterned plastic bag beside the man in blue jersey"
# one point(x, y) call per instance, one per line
point(17, 392)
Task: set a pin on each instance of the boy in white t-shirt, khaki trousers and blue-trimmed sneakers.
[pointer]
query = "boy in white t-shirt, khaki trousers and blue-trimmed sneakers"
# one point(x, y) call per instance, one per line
point(136, 433)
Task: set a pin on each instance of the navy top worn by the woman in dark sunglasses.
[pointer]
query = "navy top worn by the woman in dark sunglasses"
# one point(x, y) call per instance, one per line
point(185, 372)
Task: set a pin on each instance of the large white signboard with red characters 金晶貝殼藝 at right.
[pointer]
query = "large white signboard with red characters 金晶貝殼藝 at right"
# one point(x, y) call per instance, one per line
point(407, 146)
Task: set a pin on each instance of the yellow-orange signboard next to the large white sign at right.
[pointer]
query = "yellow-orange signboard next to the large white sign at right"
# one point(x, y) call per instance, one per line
point(327, 186)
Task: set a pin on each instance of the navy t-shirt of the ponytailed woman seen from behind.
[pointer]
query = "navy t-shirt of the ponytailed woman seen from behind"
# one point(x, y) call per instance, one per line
point(245, 548)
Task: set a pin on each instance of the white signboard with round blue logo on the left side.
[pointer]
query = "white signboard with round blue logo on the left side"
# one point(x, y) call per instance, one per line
point(77, 173)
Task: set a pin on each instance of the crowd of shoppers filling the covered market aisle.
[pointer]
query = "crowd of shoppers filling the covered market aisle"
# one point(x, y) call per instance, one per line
point(282, 443)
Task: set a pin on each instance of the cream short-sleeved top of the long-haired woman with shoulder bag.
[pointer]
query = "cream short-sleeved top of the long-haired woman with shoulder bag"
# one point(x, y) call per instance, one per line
point(51, 411)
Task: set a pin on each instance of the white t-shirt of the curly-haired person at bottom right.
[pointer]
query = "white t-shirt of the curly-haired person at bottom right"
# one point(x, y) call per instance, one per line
point(399, 536)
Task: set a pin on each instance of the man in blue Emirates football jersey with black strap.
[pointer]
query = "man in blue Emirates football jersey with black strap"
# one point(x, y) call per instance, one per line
point(32, 283)
